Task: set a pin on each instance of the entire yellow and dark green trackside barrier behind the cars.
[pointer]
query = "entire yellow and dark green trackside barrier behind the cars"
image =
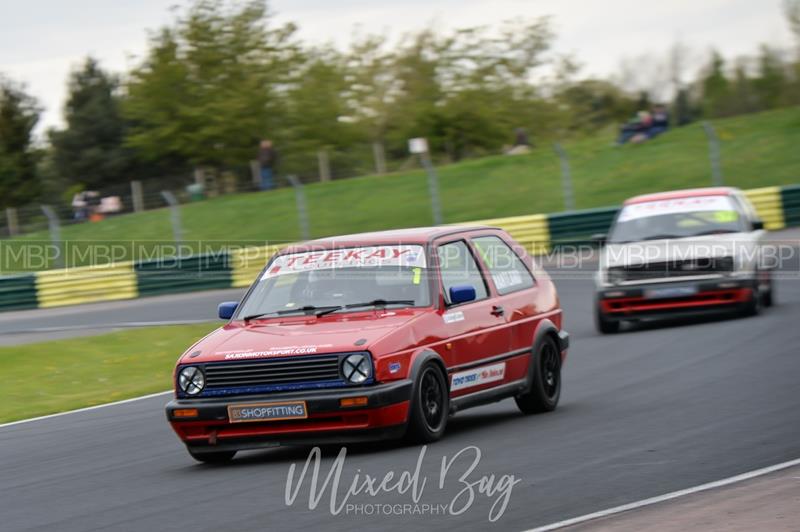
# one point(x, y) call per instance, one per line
point(779, 207)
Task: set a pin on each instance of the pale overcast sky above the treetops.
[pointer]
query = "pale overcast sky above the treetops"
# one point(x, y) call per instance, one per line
point(42, 40)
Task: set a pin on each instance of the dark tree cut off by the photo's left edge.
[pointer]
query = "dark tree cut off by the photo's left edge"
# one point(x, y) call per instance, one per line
point(19, 113)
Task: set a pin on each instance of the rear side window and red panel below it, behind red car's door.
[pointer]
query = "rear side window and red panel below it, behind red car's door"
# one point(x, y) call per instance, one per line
point(515, 287)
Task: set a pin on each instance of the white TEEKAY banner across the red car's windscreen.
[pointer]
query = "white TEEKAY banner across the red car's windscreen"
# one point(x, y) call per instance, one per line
point(411, 256)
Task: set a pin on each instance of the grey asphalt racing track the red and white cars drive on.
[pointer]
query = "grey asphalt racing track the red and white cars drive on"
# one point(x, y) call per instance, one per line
point(649, 411)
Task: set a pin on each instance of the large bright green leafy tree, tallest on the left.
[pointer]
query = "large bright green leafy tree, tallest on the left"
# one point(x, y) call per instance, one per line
point(211, 85)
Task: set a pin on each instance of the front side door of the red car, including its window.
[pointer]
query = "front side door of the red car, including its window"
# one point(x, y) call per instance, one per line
point(476, 330)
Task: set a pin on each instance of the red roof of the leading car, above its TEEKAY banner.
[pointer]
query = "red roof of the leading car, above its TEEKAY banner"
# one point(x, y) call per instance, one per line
point(416, 235)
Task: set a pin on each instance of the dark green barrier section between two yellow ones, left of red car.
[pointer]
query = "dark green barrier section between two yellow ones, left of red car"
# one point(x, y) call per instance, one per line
point(183, 274)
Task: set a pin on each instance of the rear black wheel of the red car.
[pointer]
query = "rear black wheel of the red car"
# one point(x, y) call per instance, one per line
point(546, 386)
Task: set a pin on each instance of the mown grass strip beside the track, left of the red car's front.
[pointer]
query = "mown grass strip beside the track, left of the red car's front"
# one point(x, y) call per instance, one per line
point(50, 377)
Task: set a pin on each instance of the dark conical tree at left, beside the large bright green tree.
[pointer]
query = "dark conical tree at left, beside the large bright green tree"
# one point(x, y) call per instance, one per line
point(90, 151)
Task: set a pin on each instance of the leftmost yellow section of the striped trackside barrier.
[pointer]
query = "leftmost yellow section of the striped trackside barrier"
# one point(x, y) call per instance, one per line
point(86, 285)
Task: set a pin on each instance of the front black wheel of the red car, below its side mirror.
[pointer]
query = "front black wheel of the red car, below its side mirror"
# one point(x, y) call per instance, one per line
point(430, 405)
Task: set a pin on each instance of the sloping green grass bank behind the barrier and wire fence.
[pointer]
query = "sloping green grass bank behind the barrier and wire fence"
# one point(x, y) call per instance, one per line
point(757, 150)
